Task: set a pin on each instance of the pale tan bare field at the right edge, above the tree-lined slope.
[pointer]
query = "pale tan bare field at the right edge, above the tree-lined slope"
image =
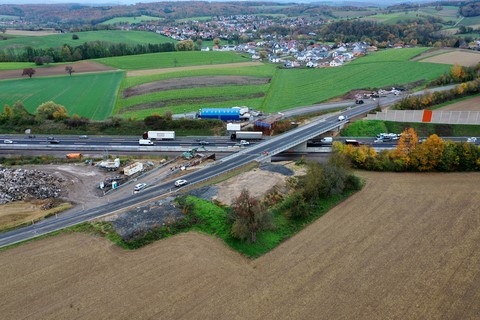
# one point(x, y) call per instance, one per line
point(466, 58)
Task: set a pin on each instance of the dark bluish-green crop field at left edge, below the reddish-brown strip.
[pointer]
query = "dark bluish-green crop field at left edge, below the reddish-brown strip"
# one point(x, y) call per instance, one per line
point(97, 93)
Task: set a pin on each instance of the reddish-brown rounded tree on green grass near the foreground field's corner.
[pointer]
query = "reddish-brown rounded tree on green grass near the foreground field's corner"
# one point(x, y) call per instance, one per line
point(249, 217)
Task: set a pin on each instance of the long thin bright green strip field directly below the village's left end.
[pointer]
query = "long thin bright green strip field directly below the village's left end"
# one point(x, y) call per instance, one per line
point(171, 60)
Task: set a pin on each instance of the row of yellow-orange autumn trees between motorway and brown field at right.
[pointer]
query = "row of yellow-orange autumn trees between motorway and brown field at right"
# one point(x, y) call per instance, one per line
point(433, 154)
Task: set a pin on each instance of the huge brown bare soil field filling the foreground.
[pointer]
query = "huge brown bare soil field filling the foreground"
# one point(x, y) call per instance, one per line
point(405, 247)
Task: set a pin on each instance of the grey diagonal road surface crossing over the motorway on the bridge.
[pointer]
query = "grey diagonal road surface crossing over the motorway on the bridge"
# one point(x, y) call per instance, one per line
point(258, 152)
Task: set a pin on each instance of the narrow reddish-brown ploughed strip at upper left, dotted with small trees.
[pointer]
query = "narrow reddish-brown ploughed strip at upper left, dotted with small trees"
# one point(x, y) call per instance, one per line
point(55, 70)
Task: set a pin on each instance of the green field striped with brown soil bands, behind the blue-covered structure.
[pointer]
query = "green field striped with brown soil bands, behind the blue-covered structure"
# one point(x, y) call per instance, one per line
point(216, 94)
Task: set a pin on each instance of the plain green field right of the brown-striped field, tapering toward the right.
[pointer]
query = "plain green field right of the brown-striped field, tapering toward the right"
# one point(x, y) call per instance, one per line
point(290, 88)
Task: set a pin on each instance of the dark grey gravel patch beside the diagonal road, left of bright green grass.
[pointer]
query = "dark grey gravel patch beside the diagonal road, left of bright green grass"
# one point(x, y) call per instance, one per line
point(142, 219)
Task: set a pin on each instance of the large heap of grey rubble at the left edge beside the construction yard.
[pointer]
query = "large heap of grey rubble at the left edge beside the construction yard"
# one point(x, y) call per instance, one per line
point(23, 184)
